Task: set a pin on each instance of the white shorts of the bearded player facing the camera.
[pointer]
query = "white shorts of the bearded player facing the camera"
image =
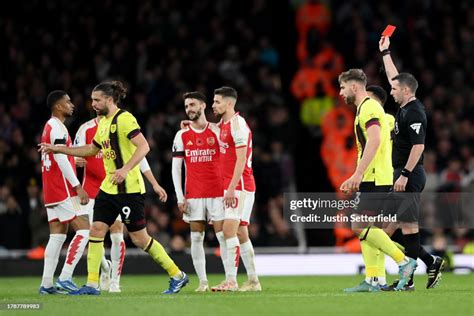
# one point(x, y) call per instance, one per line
point(204, 210)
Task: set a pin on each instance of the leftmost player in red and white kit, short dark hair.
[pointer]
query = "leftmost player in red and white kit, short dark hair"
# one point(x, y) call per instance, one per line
point(62, 195)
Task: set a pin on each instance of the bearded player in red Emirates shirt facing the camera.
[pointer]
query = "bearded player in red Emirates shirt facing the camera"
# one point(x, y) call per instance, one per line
point(198, 146)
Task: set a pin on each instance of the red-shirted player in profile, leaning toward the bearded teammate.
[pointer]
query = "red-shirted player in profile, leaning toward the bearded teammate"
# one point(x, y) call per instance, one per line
point(235, 141)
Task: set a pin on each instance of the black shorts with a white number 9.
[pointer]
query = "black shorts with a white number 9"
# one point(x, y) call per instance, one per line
point(130, 206)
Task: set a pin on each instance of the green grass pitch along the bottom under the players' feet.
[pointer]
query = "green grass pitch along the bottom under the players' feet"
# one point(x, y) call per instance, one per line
point(315, 295)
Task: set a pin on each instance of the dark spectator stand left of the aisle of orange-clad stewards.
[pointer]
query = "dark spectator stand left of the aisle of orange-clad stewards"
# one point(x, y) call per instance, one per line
point(161, 50)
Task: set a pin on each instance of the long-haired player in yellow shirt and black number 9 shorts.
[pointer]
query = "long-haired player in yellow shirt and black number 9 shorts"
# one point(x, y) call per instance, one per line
point(123, 147)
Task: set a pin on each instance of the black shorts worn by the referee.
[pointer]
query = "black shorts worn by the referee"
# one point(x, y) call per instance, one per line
point(408, 202)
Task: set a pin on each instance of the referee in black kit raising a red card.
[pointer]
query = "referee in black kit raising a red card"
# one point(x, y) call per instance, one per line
point(407, 159)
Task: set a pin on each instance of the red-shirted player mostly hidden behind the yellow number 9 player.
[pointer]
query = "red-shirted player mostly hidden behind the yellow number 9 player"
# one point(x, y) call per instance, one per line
point(94, 174)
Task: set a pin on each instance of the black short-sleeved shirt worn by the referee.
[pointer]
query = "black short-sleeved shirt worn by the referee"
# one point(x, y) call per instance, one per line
point(410, 129)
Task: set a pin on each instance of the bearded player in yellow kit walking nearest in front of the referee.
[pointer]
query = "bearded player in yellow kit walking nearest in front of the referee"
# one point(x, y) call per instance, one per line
point(373, 174)
